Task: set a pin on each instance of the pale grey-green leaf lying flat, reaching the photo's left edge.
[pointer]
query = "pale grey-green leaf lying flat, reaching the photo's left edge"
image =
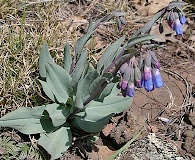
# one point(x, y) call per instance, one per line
point(25, 120)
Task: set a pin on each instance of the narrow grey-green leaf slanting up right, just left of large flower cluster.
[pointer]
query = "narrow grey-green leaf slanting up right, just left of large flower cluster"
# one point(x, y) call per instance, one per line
point(109, 55)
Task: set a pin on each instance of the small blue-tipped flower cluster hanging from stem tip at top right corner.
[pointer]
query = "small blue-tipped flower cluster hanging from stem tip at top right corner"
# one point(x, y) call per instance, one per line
point(175, 20)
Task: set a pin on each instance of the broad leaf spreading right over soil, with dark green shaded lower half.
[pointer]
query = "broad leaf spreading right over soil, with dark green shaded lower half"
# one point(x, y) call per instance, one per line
point(96, 113)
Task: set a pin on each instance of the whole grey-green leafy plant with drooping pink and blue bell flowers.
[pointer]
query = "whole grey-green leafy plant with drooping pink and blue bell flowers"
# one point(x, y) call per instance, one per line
point(85, 96)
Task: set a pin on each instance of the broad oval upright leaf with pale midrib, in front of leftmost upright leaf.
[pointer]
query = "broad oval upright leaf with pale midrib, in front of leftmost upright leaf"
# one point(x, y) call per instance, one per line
point(58, 80)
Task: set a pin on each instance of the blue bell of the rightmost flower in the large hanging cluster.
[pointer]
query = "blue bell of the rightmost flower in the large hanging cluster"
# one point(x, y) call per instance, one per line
point(157, 79)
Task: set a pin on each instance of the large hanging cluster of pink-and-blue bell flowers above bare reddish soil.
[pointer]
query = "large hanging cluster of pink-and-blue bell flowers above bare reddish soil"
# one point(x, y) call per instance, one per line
point(143, 74)
